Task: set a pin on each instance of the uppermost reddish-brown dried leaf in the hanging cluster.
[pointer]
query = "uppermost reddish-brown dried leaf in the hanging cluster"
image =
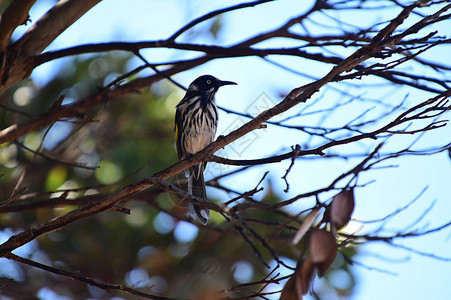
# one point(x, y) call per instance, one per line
point(341, 208)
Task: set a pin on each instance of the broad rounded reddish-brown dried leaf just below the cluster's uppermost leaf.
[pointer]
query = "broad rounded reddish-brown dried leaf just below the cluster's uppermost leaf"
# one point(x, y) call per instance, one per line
point(323, 250)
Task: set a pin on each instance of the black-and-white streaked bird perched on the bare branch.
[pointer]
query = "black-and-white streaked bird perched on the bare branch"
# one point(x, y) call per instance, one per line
point(196, 121)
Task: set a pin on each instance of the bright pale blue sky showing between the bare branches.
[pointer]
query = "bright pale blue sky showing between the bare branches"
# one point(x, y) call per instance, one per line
point(413, 276)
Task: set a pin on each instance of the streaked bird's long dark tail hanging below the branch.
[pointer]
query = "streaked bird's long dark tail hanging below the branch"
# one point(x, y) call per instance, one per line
point(196, 187)
